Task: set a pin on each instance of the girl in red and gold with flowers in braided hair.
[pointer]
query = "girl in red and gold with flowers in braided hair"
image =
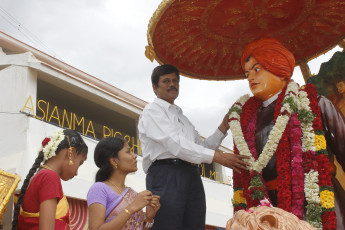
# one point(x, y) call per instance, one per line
point(41, 202)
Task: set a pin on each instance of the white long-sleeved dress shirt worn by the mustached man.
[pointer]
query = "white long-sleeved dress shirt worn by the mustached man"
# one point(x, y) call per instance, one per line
point(165, 133)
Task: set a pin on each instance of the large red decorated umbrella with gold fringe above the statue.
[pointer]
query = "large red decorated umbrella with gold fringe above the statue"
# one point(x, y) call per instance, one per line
point(205, 38)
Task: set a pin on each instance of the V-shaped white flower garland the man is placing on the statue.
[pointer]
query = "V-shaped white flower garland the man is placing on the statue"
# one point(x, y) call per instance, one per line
point(275, 134)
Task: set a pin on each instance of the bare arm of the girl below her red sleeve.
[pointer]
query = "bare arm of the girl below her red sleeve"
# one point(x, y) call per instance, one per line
point(47, 214)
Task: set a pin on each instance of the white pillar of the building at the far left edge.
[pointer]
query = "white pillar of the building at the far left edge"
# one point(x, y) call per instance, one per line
point(18, 84)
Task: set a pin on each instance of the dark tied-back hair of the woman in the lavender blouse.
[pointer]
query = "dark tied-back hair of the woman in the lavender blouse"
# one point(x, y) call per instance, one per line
point(106, 148)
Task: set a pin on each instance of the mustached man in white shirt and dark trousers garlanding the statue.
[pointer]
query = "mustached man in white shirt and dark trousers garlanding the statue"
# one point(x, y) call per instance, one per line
point(172, 151)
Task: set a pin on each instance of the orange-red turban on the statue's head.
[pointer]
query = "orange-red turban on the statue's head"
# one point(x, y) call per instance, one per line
point(271, 55)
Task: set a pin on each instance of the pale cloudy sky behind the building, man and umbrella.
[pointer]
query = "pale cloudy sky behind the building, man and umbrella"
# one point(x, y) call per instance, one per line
point(107, 39)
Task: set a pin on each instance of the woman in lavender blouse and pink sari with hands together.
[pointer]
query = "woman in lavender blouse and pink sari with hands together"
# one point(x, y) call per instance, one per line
point(112, 205)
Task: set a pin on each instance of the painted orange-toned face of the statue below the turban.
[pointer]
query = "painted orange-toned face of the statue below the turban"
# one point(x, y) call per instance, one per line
point(262, 83)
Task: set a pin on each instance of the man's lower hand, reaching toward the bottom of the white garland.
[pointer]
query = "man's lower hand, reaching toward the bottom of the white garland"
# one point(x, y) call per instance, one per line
point(231, 160)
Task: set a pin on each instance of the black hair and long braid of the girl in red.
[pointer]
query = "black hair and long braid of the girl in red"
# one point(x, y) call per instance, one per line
point(76, 141)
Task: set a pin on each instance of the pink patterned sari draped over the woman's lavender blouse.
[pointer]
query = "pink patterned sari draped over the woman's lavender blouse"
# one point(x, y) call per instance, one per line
point(137, 219)
